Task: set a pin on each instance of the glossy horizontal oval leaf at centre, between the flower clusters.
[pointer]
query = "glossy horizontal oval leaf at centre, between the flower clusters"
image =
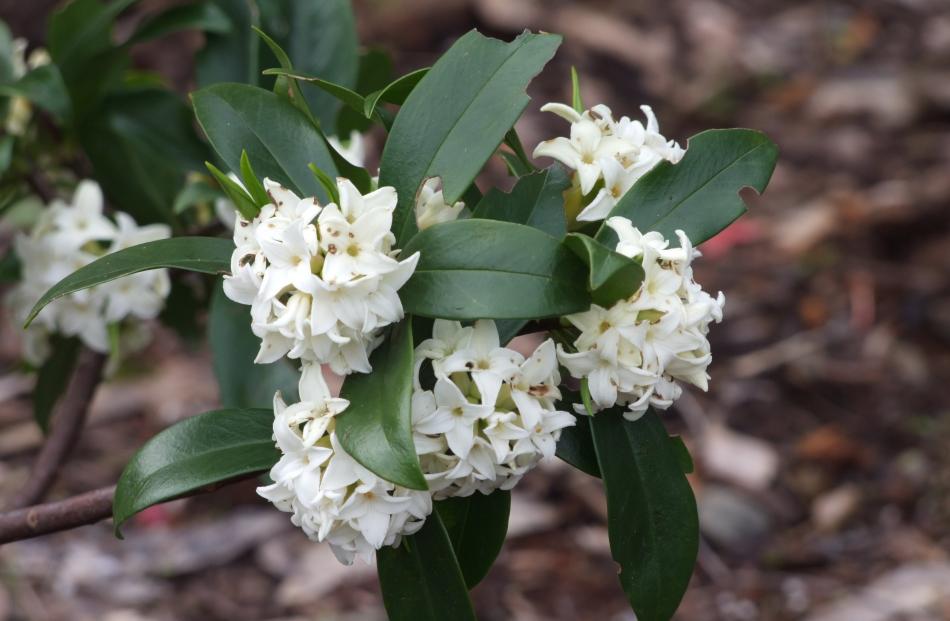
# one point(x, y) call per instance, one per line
point(486, 269)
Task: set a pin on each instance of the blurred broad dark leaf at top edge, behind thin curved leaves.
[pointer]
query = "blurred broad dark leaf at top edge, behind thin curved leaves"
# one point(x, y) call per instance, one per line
point(320, 38)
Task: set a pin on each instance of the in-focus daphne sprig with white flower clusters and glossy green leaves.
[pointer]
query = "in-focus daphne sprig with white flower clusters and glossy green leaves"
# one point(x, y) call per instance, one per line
point(411, 283)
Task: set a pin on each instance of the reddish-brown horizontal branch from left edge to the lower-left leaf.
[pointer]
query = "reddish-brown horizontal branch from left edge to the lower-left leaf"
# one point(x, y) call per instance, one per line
point(51, 517)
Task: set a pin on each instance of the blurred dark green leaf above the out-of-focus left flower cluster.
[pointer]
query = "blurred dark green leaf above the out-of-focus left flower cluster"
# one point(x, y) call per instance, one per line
point(142, 144)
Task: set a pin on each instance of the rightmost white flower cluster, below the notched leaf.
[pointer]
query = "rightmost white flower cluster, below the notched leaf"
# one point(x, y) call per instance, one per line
point(636, 351)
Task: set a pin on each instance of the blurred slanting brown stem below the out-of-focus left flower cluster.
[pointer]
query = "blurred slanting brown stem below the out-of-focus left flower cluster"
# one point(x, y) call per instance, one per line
point(66, 426)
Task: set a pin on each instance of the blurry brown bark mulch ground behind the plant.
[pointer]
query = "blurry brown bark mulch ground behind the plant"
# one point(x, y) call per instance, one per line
point(823, 474)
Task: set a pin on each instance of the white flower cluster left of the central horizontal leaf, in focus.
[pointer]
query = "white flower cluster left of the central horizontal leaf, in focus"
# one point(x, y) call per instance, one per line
point(321, 281)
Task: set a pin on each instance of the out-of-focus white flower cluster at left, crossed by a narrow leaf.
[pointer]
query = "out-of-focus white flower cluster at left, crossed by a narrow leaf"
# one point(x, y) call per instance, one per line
point(66, 237)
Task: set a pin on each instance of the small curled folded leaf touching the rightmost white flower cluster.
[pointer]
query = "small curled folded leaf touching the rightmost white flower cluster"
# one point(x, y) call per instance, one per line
point(612, 276)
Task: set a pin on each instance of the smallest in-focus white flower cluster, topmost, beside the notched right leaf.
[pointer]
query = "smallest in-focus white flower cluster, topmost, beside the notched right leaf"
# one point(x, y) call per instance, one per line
point(614, 154)
